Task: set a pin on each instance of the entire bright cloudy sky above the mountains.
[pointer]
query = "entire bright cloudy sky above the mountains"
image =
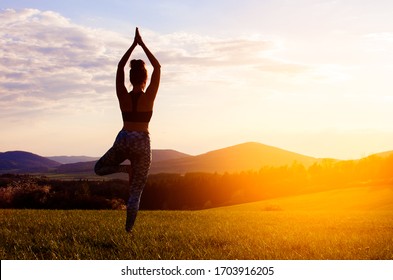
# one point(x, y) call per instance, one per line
point(309, 76)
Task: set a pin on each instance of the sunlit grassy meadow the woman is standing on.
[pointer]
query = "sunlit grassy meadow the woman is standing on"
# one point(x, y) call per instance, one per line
point(317, 226)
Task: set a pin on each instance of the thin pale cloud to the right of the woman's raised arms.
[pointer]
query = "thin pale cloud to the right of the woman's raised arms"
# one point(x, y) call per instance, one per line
point(195, 58)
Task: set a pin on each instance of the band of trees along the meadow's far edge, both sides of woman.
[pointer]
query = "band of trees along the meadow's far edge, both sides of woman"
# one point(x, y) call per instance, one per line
point(195, 190)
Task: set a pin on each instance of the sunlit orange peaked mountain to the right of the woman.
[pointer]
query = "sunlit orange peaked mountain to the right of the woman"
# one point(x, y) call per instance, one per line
point(246, 156)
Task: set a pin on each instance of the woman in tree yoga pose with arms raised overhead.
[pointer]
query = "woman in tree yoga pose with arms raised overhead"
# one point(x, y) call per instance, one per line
point(133, 141)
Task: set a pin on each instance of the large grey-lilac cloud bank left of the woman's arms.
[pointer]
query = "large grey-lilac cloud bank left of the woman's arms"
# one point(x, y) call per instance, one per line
point(45, 59)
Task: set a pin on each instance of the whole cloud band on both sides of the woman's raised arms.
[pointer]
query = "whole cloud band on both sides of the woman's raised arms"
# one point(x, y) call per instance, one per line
point(48, 63)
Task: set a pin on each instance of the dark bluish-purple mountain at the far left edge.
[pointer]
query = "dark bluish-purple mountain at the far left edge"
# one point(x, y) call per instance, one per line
point(20, 161)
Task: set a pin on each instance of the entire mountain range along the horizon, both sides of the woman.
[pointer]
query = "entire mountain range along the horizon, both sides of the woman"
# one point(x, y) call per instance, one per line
point(242, 157)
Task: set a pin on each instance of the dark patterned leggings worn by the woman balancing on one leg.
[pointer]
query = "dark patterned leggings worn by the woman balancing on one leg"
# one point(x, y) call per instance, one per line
point(134, 146)
